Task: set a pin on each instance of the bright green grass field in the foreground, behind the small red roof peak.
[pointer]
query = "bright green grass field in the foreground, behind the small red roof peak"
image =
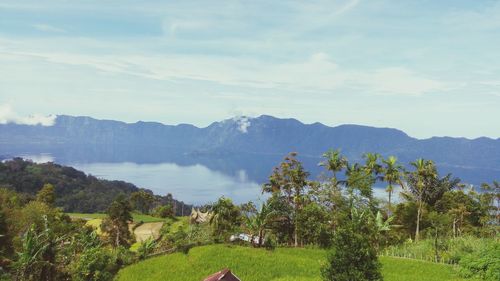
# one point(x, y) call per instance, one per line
point(258, 264)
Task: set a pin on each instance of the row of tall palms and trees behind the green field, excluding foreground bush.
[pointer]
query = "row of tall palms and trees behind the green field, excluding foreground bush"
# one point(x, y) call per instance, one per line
point(300, 211)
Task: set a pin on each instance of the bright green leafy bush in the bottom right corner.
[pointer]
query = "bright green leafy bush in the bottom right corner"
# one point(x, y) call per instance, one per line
point(484, 264)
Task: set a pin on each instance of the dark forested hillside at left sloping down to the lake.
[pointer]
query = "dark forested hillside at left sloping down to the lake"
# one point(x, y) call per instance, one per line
point(75, 191)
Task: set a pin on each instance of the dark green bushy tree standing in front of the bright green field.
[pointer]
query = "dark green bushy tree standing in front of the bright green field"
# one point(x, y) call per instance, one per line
point(353, 256)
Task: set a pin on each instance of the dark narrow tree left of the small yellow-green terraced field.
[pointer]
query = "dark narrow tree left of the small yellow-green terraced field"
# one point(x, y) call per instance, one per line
point(116, 223)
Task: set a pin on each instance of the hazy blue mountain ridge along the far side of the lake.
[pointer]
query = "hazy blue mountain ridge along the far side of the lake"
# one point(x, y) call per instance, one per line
point(474, 160)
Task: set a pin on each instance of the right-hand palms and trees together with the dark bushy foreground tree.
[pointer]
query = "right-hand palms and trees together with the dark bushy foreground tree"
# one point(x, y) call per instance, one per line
point(341, 213)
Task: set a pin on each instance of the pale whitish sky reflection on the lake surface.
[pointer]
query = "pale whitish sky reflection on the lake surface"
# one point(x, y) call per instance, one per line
point(194, 184)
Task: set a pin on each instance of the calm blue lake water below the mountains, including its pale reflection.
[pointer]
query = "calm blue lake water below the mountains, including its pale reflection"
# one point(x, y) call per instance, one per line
point(192, 179)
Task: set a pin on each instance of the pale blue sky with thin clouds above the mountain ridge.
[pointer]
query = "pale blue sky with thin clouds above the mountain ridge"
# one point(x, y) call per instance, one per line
point(429, 68)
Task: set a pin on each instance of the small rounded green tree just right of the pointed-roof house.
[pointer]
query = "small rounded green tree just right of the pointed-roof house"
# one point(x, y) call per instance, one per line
point(226, 217)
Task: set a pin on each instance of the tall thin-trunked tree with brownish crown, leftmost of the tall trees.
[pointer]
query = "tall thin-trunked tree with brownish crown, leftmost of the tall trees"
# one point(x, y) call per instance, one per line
point(290, 179)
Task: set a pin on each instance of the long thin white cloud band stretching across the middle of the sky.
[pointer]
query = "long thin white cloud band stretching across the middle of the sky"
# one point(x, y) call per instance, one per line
point(317, 73)
